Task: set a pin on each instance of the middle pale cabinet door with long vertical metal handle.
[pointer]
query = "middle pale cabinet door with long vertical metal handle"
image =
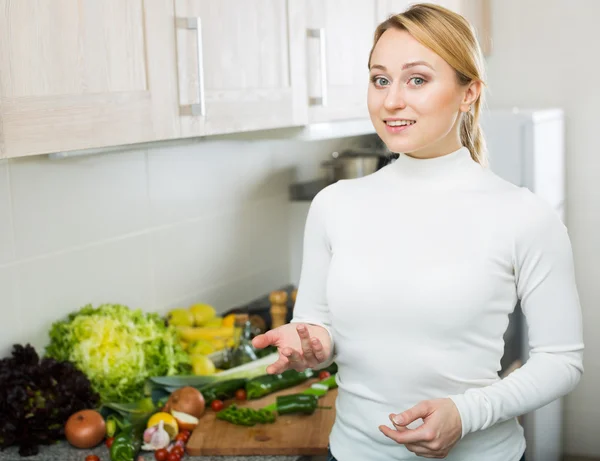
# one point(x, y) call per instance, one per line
point(242, 69)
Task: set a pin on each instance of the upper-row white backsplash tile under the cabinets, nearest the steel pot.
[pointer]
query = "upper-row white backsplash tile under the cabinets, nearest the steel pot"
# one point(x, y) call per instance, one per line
point(188, 181)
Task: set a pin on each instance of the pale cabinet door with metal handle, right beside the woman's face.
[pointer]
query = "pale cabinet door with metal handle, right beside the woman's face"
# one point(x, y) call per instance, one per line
point(338, 41)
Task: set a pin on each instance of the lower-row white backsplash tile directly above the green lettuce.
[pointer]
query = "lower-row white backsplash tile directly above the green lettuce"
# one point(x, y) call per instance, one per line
point(116, 272)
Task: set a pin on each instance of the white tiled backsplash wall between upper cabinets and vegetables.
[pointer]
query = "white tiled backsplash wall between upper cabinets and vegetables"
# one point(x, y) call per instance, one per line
point(199, 221)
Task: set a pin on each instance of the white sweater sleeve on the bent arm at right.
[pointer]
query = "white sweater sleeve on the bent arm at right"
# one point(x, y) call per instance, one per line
point(545, 283)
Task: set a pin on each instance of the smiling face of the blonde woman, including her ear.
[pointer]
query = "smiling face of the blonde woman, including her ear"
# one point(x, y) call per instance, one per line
point(415, 98)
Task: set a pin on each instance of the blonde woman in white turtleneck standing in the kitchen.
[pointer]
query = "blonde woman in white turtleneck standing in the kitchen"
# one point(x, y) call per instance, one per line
point(409, 274)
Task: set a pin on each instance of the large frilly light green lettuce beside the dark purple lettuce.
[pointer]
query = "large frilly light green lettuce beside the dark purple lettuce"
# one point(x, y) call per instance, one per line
point(118, 349)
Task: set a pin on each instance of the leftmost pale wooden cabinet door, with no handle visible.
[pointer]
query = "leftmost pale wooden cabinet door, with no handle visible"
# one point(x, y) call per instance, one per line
point(78, 74)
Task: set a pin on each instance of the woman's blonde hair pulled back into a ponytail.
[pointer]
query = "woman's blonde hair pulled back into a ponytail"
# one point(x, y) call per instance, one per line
point(452, 37)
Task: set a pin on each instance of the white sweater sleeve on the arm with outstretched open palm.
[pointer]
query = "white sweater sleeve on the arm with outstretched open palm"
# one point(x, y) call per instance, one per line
point(311, 300)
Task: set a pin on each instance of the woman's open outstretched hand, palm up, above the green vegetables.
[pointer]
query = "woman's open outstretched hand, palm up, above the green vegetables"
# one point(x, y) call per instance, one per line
point(300, 346)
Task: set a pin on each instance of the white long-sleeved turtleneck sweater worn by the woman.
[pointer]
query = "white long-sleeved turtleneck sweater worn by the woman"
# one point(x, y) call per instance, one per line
point(414, 270)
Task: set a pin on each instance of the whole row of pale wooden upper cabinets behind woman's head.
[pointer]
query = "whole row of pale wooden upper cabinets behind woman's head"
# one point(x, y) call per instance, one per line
point(81, 74)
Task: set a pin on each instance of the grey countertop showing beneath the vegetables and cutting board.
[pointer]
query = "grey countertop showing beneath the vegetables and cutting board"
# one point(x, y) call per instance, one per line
point(62, 451)
